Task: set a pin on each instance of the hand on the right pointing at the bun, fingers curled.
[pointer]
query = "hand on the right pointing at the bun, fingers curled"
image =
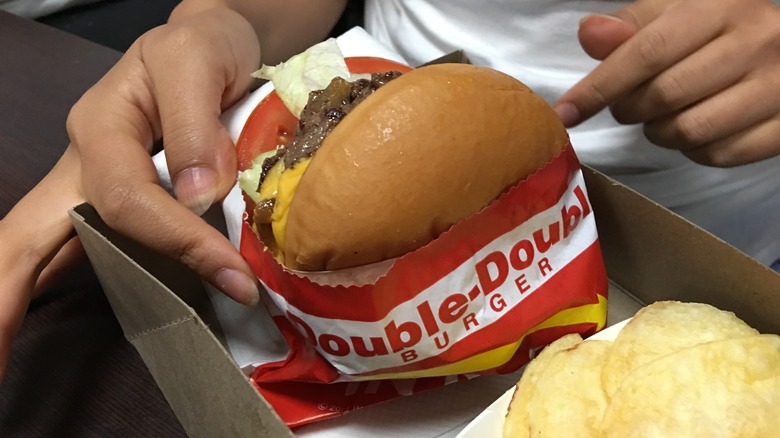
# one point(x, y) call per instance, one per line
point(699, 75)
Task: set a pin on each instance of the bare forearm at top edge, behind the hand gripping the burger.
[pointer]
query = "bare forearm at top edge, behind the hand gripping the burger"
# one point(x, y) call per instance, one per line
point(283, 27)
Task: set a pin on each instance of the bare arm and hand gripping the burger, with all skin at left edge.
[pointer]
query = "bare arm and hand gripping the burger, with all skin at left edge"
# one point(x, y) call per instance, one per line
point(172, 84)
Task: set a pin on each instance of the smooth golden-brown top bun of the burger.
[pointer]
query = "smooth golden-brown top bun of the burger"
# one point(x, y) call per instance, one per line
point(425, 151)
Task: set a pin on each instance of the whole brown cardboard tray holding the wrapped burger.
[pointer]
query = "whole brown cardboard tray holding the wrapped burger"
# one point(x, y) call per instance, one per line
point(650, 253)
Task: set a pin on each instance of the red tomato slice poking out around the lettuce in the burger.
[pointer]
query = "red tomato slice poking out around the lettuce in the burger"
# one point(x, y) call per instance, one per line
point(271, 124)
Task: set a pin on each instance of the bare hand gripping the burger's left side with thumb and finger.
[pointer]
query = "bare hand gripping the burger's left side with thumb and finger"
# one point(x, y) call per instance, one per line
point(173, 83)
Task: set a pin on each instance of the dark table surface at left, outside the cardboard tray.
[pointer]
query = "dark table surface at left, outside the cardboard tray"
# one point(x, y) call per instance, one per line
point(71, 371)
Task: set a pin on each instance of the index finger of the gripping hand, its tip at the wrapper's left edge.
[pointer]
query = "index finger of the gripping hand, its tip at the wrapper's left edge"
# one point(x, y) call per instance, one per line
point(121, 182)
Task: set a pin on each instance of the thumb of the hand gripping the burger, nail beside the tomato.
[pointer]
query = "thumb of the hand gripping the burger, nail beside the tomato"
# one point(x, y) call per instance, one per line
point(197, 69)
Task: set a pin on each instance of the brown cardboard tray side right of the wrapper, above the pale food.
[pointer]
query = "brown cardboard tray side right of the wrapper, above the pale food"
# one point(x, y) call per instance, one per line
point(658, 255)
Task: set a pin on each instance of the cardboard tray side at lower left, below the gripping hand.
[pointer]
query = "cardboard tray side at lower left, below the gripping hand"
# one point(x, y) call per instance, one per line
point(183, 355)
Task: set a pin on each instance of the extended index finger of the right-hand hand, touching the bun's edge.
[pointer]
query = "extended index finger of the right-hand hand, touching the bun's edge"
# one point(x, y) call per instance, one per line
point(665, 40)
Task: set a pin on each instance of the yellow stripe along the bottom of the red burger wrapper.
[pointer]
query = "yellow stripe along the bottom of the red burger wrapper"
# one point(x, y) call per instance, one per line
point(589, 313)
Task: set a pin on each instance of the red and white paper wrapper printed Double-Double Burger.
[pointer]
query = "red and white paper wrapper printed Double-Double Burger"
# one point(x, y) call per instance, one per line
point(480, 299)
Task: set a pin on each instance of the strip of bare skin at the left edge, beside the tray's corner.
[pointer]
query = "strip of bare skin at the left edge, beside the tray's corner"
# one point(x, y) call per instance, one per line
point(38, 244)
